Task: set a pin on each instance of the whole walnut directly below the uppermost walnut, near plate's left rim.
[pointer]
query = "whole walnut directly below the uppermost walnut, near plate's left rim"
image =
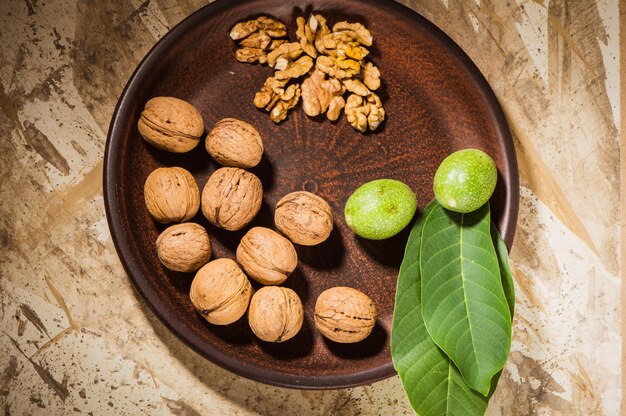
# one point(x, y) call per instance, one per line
point(171, 195)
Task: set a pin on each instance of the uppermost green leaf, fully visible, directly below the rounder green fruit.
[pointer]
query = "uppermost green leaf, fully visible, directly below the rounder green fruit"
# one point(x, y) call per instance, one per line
point(464, 306)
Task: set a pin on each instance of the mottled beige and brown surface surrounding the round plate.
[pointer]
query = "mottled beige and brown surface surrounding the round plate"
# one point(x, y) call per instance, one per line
point(76, 339)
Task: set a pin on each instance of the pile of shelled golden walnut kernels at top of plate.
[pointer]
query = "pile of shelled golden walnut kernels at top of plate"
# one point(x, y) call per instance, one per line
point(321, 67)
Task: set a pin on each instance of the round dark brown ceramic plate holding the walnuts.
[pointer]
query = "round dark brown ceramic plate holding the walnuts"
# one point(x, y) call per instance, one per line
point(437, 102)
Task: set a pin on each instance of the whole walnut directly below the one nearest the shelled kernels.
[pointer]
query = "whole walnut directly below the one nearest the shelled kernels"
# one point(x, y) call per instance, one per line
point(231, 198)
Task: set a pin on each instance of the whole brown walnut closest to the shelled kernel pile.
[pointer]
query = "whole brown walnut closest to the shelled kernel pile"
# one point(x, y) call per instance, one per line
point(235, 143)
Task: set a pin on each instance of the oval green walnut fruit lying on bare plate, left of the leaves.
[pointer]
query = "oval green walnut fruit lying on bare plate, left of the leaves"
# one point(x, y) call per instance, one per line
point(380, 209)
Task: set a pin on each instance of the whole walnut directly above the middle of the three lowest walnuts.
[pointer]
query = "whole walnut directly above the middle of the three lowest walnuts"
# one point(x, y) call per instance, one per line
point(266, 256)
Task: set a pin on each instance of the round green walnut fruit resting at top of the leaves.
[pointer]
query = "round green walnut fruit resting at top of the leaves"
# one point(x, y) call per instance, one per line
point(465, 180)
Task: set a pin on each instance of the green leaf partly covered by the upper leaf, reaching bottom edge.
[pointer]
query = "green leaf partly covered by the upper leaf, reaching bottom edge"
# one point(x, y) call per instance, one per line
point(433, 384)
